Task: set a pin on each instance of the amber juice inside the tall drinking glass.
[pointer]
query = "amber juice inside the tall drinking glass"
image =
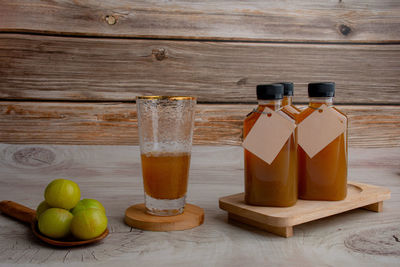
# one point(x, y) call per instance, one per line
point(165, 175)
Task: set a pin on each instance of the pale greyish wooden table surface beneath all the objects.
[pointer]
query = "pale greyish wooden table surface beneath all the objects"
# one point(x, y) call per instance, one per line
point(112, 174)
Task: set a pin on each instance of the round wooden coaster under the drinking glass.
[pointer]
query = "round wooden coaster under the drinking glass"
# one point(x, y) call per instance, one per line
point(136, 216)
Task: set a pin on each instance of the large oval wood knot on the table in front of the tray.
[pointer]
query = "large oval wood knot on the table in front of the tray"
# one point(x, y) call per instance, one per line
point(379, 241)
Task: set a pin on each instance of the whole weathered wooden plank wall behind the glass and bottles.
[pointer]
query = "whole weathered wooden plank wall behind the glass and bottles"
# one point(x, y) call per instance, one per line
point(70, 70)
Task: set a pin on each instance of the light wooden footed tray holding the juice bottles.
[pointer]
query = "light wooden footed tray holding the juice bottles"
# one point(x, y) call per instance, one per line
point(280, 221)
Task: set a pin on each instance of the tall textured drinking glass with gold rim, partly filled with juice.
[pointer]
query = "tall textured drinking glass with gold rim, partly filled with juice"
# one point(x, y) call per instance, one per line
point(165, 136)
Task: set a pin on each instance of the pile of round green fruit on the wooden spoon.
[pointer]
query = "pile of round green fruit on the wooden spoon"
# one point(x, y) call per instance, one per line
point(63, 213)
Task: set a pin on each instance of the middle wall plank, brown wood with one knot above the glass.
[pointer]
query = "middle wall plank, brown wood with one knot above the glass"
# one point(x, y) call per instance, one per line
point(65, 68)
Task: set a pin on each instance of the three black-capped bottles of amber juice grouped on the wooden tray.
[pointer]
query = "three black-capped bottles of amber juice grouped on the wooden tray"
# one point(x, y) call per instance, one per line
point(313, 169)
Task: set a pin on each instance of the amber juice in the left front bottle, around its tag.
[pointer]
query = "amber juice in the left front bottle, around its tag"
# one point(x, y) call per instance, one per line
point(272, 184)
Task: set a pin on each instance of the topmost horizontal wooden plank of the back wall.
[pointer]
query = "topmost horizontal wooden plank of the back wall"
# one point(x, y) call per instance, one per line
point(328, 21)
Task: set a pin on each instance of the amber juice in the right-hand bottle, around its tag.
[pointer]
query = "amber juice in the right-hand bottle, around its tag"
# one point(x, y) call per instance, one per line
point(323, 177)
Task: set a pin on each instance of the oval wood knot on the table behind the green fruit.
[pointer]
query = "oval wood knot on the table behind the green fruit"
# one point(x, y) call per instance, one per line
point(34, 156)
